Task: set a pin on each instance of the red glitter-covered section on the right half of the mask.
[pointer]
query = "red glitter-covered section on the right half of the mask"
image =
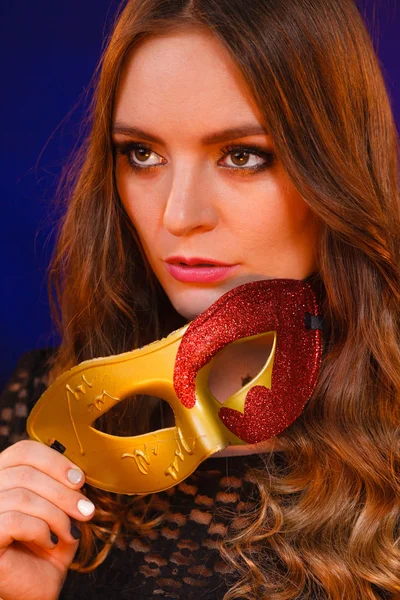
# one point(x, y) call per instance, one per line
point(272, 305)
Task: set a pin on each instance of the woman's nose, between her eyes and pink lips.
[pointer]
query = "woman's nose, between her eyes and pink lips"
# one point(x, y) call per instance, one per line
point(190, 204)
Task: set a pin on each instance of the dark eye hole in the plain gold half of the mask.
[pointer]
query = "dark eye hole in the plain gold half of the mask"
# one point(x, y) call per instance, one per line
point(136, 415)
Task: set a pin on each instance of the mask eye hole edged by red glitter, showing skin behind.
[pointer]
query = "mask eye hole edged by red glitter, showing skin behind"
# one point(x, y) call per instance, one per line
point(237, 364)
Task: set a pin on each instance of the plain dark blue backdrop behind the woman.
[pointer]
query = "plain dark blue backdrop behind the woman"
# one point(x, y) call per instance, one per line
point(48, 53)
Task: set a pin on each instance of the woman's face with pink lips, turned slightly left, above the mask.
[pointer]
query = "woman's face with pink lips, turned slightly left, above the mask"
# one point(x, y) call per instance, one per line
point(197, 192)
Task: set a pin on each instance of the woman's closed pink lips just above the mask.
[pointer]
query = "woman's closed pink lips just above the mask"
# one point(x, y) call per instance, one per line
point(198, 270)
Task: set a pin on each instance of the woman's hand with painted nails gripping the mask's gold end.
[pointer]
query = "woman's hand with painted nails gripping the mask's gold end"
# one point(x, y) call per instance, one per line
point(39, 492)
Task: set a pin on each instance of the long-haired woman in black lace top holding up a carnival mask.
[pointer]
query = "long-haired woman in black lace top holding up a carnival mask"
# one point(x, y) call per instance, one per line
point(257, 135)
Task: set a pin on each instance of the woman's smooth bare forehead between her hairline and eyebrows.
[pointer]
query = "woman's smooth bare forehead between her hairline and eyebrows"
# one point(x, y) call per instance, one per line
point(181, 81)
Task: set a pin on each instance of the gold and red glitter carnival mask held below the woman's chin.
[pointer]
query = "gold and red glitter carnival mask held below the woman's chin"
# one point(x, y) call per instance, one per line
point(176, 369)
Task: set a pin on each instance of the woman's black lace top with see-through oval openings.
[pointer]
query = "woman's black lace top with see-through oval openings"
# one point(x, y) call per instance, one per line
point(179, 558)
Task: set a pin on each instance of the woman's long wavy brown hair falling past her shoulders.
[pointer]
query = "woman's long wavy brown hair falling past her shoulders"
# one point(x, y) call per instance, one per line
point(330, 518)
